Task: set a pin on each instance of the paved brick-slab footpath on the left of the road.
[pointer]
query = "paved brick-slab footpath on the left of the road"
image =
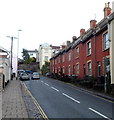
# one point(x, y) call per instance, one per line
point(13, 105)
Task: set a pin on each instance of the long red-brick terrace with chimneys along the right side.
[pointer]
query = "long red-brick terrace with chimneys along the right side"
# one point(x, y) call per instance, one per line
point(89, 54)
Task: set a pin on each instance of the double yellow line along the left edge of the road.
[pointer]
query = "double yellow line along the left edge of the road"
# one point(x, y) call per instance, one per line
point(36, 103)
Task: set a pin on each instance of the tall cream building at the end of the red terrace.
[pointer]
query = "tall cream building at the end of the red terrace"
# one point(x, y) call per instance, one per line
point(45, 53)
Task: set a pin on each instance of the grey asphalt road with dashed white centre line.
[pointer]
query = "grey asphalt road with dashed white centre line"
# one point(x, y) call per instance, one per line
point(61, 100)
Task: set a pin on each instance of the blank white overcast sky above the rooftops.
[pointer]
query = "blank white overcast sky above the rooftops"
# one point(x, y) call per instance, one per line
point(45, 21)
